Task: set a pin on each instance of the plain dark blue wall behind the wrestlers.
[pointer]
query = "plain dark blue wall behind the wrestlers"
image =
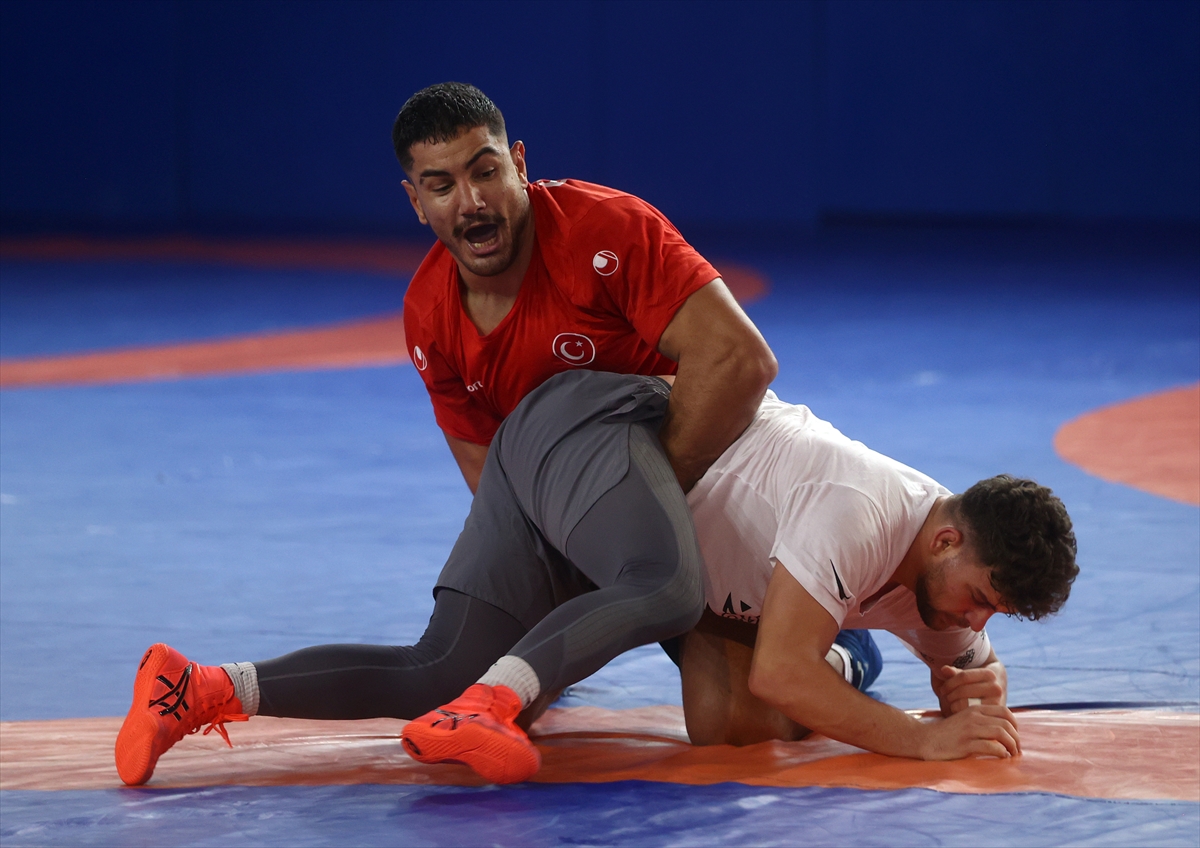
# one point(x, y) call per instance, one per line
point(733, 116)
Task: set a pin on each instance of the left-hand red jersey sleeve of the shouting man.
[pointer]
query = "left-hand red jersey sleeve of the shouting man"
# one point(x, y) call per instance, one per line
point(457, 413)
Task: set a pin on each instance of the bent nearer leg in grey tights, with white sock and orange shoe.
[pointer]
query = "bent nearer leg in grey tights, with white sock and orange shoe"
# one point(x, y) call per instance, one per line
point(639, 548)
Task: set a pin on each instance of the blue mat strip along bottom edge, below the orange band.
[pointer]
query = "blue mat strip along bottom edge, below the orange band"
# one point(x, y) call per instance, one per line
point(631, 814)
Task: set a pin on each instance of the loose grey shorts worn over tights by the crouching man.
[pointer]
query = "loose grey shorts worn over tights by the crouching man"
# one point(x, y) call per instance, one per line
point(553, 460)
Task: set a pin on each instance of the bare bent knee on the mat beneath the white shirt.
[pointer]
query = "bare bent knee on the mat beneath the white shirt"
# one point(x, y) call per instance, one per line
point(718, 706)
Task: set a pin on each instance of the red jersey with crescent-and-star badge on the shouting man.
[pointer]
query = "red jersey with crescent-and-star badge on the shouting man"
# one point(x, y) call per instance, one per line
point(607, 276)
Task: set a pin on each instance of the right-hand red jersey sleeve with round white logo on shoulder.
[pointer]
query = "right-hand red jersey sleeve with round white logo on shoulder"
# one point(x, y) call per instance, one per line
point(645, 263)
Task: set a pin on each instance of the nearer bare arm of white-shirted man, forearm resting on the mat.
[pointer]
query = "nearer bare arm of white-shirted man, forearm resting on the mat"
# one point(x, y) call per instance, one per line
point(790, 673)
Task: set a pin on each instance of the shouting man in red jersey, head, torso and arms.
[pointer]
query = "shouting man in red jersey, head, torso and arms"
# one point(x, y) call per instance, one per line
point(531, 280)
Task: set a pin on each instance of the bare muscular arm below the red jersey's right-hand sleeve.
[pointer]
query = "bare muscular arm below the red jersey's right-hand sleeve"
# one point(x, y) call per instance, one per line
point(725, 368)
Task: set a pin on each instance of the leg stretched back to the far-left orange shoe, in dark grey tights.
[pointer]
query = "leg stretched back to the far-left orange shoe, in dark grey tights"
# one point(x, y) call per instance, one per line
point(173, 697)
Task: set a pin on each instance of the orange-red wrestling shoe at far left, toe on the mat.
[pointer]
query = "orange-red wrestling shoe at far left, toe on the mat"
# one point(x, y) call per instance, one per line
point(172, 699)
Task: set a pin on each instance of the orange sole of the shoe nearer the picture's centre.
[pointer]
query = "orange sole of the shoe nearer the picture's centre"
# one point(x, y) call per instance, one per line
point(494, 756)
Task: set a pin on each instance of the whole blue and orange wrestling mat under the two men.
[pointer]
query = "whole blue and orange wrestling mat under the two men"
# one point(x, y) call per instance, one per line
point(221, 446)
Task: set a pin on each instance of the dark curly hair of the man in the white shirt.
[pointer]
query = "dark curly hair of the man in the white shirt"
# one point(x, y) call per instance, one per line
point(1023, 533)
